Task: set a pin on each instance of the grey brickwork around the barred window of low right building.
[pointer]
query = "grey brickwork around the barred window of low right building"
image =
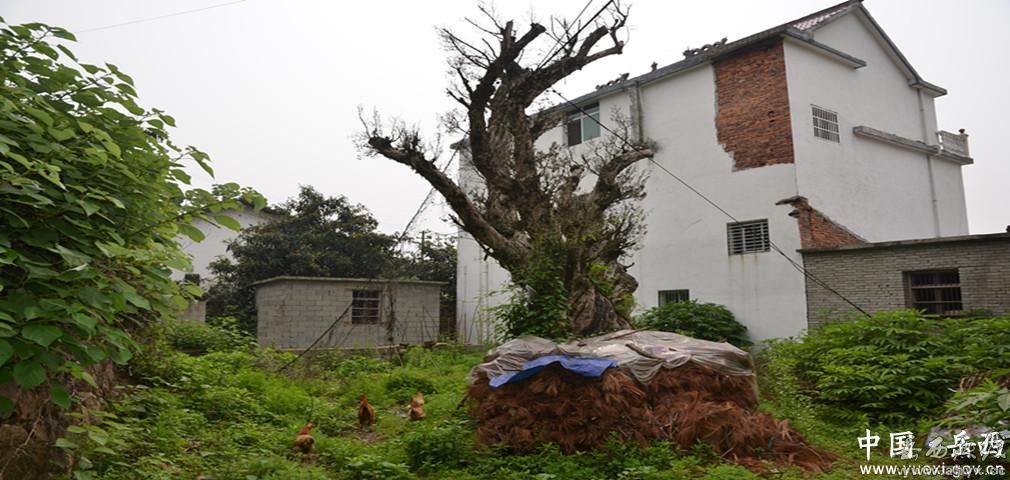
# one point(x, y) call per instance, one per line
point(873, 277)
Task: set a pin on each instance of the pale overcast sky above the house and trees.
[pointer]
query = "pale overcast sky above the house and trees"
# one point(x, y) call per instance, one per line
point(271, 89)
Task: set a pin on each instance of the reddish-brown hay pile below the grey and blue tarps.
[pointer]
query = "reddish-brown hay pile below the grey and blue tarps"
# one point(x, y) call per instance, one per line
point(686, 405)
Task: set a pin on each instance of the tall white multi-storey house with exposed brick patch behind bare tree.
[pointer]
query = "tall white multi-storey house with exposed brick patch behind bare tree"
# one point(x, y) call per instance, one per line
point(814, 134)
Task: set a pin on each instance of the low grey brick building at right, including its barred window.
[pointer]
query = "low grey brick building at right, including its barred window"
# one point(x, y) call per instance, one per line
point(947, 276)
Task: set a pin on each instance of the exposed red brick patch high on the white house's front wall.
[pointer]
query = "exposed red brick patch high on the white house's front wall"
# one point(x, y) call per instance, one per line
point(753, 117)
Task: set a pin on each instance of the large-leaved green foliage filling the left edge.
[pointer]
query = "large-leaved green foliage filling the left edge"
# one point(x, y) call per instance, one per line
point(91, 202)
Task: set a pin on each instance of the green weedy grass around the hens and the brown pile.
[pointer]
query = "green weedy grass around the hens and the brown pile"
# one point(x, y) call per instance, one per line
point(230, 415)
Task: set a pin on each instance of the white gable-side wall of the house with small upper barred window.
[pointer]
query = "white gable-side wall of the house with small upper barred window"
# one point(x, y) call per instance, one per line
point(881, 193)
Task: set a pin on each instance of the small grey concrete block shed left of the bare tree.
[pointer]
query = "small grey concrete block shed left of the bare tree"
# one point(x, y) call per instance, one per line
point(293, 312)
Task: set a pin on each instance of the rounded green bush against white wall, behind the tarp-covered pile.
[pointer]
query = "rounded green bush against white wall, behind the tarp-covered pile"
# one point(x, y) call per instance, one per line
point(700, 321)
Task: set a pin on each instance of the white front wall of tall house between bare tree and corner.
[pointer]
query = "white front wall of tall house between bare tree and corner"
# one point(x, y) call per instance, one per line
point(686, 246)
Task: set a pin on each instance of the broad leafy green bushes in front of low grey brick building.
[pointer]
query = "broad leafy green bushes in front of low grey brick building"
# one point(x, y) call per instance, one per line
point(897, 366)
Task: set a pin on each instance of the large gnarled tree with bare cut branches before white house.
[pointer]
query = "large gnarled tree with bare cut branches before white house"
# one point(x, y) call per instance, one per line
point(559, 220)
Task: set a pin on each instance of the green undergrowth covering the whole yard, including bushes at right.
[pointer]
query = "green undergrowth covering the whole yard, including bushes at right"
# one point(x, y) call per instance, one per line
point(230, 414)
